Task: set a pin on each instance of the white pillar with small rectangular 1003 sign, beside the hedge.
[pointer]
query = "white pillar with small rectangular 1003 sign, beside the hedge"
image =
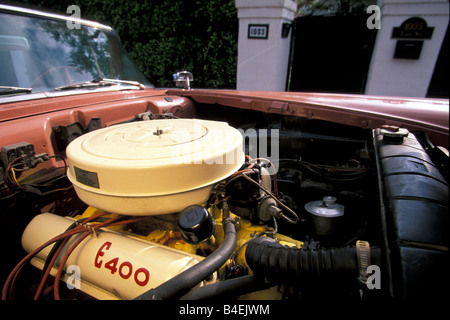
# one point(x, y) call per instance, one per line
point(263, 62)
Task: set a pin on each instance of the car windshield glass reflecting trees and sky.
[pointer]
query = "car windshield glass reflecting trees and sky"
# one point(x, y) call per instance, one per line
point(44, 54)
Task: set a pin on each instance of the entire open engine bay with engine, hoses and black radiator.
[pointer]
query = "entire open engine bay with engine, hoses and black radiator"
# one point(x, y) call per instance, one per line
point(204, 200)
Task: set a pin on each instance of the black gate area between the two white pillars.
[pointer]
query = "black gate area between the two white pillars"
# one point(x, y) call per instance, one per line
point(331, 54)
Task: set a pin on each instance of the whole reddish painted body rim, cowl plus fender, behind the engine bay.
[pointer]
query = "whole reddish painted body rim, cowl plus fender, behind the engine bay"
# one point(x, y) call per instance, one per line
point(429, 115)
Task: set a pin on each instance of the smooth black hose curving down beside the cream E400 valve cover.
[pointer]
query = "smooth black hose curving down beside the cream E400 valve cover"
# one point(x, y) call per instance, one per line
point(182, 283)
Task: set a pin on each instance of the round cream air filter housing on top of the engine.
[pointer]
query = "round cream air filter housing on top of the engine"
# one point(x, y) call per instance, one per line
point(153, 167)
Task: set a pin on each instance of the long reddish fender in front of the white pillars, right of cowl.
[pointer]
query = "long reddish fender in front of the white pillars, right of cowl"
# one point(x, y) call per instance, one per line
point(429, 115)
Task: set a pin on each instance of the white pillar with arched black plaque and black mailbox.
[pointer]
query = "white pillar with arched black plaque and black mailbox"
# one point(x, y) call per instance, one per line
point(406, 77)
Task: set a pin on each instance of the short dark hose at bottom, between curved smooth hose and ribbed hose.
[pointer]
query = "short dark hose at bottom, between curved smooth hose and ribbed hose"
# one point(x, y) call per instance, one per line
point(235, 286)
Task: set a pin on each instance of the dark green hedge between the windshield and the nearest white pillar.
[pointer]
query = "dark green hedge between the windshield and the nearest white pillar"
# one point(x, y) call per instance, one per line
point(165, 36)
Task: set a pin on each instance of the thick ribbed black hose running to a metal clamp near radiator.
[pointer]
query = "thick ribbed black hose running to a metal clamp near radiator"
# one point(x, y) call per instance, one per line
point(266, 257)
